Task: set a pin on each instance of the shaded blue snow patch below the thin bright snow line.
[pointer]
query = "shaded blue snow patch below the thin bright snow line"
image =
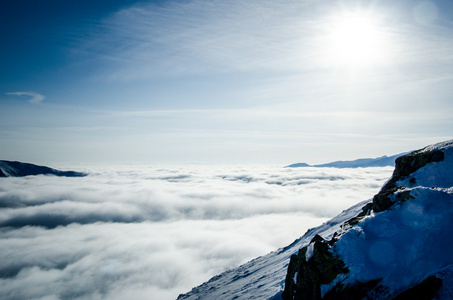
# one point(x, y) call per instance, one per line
point(402, 241)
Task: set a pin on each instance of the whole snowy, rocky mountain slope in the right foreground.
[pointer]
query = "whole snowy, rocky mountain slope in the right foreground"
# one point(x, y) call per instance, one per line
point(396, 245)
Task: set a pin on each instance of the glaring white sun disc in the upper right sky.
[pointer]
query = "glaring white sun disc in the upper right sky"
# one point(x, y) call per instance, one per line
point(354, 39)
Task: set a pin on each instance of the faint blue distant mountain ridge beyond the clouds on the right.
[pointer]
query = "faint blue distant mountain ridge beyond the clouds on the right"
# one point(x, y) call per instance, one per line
point(383, 161)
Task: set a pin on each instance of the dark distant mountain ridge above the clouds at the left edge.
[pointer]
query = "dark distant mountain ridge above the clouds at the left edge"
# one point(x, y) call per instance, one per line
point(20, 169)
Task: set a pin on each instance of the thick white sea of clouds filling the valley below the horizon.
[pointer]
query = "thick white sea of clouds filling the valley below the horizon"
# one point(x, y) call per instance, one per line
point(149, 232)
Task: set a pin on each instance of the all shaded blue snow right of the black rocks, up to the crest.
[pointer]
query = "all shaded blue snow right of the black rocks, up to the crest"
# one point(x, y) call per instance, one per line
point(410, 241)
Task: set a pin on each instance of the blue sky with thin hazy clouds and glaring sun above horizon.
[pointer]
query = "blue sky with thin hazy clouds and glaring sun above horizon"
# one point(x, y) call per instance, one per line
point(223, 81)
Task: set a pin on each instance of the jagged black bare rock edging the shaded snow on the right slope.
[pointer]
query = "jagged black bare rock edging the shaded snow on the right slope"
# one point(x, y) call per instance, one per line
point(305, 277)
